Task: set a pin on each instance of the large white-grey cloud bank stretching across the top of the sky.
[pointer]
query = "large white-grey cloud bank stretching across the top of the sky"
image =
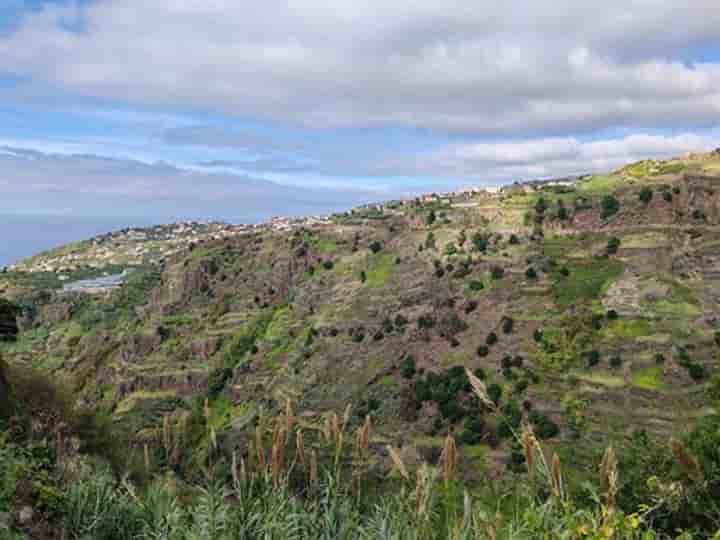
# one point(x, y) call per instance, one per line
point(465, 65)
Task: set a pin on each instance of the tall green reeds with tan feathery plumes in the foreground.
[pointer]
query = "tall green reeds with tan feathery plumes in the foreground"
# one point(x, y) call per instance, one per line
point(291, 484)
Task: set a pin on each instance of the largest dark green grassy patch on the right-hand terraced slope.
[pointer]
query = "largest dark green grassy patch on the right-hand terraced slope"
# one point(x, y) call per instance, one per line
point(587, 281)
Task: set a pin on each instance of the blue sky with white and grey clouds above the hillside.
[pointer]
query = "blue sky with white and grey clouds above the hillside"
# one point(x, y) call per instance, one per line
point(240, 110)
